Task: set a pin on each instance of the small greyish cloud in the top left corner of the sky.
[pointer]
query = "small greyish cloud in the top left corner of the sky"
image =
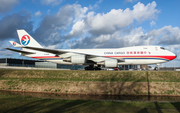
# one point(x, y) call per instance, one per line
point(7, 5)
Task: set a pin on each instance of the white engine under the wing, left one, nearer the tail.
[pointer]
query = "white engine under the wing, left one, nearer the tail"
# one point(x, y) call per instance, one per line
point(76, 59)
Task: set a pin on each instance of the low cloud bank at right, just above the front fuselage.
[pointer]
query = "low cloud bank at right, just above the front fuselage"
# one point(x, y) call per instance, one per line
point(167, 36)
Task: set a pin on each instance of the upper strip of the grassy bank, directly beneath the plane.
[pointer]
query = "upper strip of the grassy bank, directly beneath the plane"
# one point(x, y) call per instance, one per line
point(120, 76)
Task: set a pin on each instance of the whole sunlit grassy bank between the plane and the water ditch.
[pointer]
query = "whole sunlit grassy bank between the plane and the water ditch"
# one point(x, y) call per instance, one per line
point(92, 82)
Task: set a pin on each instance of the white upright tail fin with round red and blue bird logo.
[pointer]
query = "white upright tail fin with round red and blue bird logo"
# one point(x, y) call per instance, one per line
point(26, 40)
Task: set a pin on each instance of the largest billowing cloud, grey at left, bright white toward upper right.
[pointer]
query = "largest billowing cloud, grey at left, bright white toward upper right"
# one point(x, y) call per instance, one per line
point(100, 27)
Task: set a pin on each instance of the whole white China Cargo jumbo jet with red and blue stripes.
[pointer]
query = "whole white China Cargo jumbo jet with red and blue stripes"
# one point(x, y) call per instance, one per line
point(92, 58)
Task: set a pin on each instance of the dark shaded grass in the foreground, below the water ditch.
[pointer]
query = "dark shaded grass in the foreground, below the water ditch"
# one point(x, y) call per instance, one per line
point(16, 104)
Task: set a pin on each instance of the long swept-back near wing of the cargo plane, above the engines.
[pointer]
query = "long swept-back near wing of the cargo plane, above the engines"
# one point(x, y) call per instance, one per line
point(59, 52)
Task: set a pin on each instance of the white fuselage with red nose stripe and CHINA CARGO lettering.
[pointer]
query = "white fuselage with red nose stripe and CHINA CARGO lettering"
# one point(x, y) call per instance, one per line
point(136, 55)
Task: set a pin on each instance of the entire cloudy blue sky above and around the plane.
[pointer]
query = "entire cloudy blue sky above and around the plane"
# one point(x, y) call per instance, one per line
point(92, 24)
